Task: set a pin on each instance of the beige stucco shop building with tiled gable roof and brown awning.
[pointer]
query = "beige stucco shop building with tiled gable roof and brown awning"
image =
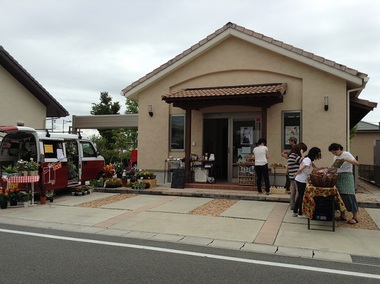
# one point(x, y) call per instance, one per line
point(237, 82)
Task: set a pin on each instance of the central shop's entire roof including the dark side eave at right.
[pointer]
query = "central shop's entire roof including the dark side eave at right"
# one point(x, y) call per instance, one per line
point(356, 80)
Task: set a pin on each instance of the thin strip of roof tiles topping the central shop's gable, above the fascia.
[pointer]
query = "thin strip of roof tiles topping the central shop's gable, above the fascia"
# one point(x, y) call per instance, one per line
point(254, 34)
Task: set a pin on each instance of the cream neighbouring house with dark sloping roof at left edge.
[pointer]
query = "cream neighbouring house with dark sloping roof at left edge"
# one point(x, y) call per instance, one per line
point(23, 100)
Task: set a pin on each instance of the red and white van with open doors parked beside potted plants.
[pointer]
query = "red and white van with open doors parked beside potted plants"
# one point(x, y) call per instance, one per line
point(65, 160)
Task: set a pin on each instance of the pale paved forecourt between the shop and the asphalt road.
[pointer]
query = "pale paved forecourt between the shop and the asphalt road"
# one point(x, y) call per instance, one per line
point(250, 224)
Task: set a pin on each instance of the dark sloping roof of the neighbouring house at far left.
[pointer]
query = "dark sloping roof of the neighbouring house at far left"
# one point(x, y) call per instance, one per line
point(53, 107)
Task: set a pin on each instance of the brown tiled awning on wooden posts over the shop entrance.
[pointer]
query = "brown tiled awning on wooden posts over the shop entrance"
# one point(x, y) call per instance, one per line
point(263, 95)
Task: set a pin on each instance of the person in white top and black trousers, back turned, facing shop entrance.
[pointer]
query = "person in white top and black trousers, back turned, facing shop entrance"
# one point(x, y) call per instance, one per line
point(261, 155)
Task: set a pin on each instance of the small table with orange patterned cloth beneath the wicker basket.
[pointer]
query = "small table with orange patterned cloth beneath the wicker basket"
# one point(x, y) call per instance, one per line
point(330, 196)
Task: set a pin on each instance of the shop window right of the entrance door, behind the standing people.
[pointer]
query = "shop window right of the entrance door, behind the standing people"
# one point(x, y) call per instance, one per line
point(291, 127)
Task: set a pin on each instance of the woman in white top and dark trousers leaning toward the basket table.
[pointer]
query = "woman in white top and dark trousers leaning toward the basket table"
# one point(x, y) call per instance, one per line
point(301, 177)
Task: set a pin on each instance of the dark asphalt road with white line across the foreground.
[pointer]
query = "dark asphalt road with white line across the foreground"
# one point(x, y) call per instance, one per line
point(32, 255)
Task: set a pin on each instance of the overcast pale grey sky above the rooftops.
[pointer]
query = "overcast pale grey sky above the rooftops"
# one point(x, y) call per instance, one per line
point(78, 48)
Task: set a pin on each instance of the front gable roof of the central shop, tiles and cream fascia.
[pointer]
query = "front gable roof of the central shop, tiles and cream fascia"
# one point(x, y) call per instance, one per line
point(356, 78)
